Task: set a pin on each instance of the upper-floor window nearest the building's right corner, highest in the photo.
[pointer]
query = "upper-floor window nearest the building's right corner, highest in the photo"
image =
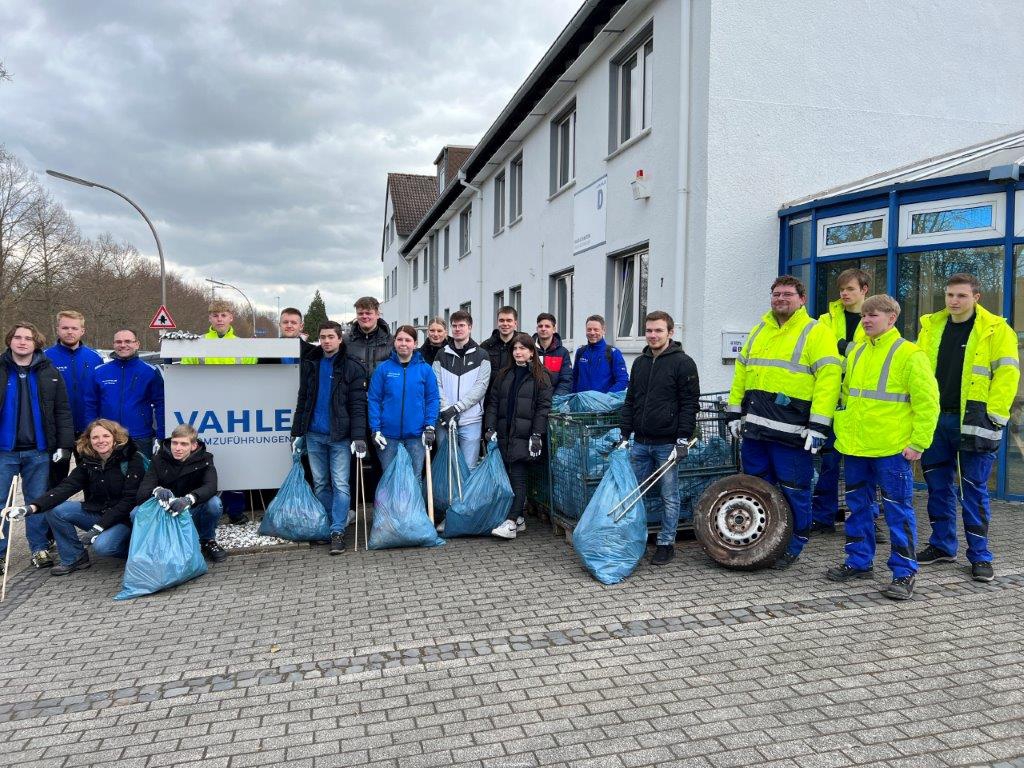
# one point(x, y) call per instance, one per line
point(632, 91)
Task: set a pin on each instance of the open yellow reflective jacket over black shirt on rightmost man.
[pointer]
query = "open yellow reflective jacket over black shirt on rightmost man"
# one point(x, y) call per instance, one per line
point(989, 385)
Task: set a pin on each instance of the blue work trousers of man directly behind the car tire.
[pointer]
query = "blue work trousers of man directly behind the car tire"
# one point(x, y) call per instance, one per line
point(792, 470)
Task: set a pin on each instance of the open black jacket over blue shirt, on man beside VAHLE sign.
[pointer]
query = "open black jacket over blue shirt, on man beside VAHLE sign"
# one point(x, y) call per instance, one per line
point(349, 397)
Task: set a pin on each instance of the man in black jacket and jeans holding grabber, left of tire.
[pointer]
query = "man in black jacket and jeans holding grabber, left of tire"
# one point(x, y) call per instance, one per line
point(661, 412)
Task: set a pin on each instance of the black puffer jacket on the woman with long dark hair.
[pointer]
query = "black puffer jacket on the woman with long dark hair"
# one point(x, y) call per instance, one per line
point(533, 404)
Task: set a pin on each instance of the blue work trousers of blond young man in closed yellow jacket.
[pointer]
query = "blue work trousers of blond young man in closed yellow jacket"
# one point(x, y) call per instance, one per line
point(894, 477)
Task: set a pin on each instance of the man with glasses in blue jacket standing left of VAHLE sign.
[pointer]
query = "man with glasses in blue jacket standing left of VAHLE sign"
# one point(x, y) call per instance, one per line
point(130, 392)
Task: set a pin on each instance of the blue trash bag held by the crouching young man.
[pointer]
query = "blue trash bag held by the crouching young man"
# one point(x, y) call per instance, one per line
point(164, 552)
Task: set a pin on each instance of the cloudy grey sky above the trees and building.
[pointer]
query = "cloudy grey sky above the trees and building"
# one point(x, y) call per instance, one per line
point(259, 135)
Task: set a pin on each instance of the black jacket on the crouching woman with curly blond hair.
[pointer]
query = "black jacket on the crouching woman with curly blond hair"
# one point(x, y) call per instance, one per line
point(110, 487)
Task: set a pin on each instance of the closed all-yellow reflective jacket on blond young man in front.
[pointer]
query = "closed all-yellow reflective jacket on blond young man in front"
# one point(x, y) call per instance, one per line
point(890, 399)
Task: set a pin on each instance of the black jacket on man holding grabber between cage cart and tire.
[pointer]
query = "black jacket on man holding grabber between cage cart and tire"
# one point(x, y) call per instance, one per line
point(663, 399)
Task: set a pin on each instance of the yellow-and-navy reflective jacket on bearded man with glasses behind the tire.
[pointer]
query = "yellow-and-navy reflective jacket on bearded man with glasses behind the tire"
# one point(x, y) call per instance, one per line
point(787, 379)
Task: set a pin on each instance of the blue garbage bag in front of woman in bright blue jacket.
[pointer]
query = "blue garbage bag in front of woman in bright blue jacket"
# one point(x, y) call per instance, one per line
point(400, 513)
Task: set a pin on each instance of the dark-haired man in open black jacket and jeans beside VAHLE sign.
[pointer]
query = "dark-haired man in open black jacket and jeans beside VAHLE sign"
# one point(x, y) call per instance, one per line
point(330, 423)
